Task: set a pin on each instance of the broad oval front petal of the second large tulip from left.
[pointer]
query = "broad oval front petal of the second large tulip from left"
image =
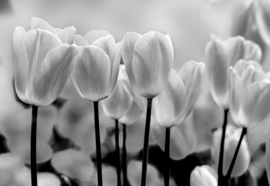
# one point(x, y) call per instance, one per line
point(91, 73)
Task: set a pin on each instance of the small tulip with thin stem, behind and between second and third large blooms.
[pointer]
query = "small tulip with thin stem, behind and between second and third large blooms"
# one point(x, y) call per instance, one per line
point(116, 106)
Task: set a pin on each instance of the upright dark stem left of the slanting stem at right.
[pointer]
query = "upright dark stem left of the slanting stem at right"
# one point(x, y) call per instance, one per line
point(221, 151)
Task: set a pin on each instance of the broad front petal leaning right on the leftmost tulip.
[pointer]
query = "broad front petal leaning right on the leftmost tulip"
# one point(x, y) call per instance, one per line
point(54, 72)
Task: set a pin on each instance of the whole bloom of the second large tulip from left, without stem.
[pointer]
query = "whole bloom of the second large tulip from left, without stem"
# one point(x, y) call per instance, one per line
point(96, 71)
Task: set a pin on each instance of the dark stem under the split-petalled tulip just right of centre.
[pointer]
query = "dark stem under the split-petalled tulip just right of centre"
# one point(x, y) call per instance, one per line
point(167, 157)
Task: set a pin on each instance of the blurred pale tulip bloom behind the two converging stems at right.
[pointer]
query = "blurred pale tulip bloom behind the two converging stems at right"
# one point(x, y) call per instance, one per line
point(231, 140)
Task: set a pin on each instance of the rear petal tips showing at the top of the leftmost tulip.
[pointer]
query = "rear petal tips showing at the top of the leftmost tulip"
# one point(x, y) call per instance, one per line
point(66, 35)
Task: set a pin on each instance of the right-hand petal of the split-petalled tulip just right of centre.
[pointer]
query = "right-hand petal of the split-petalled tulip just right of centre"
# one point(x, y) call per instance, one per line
point(191, 74)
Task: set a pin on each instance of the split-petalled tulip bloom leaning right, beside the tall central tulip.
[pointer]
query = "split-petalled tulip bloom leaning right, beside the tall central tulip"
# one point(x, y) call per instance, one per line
point(176, 101)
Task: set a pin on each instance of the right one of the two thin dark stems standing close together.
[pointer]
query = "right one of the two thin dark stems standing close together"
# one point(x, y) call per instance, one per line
point(124, 156)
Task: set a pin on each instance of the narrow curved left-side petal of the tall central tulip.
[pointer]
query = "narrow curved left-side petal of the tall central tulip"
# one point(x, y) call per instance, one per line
point(129, 41)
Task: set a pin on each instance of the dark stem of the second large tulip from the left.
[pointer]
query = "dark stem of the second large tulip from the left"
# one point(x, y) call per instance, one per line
point(98, 146)
